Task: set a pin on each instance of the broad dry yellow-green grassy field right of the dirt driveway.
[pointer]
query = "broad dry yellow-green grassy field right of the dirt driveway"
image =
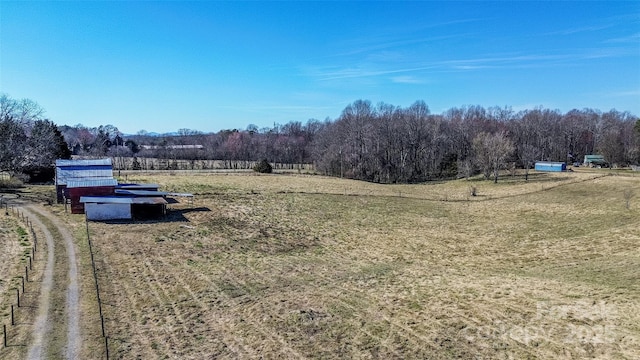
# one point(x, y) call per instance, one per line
point(286, 266)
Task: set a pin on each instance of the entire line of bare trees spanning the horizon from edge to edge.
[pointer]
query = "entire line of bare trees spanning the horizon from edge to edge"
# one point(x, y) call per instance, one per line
point(379, 143)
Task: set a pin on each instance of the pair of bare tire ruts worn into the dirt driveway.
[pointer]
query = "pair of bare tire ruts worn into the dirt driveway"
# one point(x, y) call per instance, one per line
point(72, 303)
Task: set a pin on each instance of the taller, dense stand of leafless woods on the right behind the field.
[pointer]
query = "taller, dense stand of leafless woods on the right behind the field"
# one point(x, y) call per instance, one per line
point(390, 144)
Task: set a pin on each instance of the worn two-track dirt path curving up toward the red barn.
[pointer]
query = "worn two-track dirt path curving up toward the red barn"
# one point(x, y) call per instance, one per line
point(43, 325)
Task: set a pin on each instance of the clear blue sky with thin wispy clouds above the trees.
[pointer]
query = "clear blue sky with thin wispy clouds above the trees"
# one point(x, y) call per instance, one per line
point(211, 65)
